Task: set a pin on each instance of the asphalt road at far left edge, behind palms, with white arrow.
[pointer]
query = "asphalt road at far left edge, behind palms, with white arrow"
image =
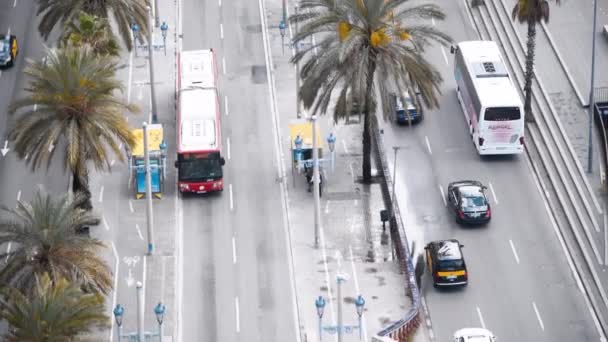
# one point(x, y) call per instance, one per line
point(16, 179)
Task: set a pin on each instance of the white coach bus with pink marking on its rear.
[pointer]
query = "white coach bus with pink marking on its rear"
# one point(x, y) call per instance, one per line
point(491, 104)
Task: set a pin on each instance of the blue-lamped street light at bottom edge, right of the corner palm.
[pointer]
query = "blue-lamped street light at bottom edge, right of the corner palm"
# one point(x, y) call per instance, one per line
point(140, 335)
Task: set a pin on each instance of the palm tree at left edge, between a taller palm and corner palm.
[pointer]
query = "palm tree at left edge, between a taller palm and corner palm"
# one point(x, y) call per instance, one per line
point(42, 235)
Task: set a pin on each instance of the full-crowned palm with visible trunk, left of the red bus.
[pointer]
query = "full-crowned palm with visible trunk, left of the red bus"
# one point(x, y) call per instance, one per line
point(72, 105)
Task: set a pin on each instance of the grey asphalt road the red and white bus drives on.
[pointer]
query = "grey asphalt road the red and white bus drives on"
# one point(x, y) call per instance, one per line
point(235, 278)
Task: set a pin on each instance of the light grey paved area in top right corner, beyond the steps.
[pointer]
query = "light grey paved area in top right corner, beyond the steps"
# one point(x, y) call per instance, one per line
point(570, 26)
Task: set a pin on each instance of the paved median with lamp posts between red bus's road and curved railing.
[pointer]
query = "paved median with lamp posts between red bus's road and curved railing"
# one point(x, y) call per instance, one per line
point(352, 241)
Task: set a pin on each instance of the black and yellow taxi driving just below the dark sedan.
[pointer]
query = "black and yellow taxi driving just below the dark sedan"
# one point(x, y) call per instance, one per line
point(446, 263)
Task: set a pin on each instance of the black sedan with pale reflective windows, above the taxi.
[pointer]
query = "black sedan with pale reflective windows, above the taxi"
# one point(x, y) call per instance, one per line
point(468, 201)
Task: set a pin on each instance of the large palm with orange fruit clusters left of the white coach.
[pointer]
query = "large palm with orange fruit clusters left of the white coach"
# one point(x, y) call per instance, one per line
point(367, 47)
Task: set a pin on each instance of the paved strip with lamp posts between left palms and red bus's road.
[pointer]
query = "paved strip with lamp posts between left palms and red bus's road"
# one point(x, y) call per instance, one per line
point(123, 225)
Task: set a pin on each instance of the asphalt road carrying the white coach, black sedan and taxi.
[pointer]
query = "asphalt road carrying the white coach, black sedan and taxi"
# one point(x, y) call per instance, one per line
point(520, 284)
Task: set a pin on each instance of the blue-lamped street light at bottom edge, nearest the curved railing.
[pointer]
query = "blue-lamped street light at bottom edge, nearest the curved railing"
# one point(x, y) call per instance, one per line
point(340, 328)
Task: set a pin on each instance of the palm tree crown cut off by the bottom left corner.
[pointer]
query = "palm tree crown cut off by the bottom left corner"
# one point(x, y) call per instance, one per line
point(57, 311)
